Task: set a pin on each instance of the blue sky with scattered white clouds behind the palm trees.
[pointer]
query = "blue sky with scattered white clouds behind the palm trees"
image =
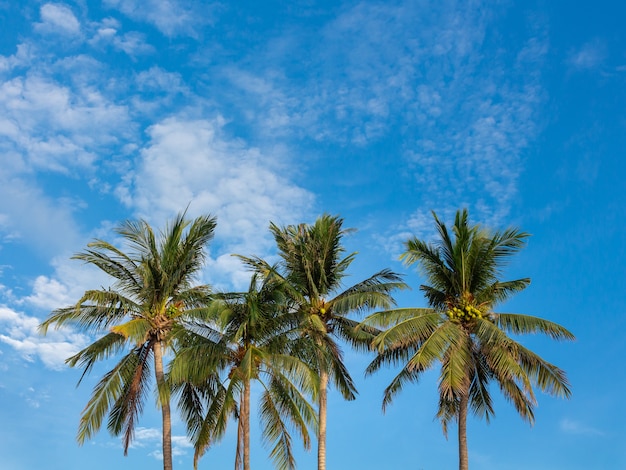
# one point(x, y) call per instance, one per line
point(281, 111)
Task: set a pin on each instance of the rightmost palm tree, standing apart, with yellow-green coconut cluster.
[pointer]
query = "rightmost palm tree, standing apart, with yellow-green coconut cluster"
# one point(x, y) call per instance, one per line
point(461, 332)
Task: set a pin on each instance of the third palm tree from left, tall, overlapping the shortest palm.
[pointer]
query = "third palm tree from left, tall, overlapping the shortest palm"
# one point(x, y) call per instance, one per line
point(312, 270)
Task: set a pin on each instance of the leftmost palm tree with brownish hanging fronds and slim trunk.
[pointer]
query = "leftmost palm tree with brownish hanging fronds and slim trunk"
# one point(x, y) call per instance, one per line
point(152, 295)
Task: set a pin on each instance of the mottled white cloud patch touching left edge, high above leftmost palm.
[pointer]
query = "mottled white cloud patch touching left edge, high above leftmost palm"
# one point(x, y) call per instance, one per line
point(59, 128)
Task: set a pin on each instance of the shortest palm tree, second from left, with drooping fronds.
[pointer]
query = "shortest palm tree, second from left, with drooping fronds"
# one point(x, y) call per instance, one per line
point(249, 339)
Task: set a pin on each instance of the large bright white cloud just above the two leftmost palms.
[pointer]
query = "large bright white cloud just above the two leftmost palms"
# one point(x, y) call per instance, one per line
point(191, 162)
